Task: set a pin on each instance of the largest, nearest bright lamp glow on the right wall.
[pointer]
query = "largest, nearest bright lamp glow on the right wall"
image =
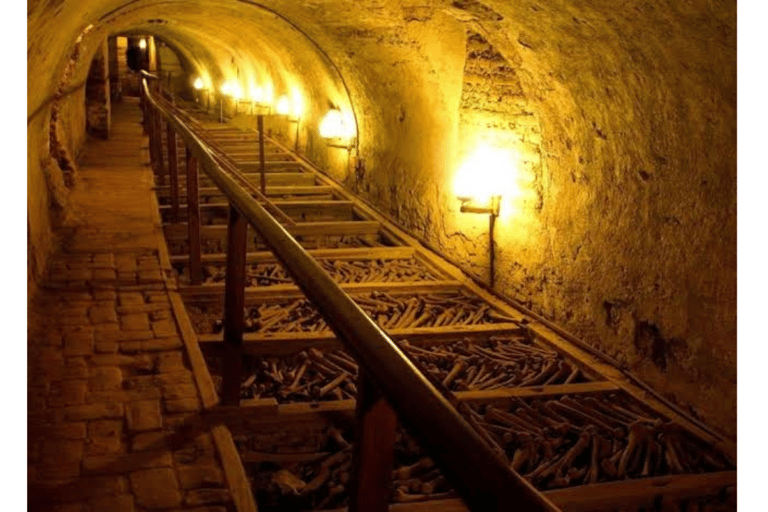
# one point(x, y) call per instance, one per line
point(488, 171)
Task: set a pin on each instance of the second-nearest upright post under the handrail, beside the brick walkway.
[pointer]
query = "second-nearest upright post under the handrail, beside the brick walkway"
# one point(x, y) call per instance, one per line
point(234, 306)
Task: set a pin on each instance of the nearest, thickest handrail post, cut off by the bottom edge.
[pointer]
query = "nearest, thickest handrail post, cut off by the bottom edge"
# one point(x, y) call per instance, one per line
point(373, 450)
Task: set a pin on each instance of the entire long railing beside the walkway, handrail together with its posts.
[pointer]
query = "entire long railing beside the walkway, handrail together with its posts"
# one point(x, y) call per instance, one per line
point(390, 385)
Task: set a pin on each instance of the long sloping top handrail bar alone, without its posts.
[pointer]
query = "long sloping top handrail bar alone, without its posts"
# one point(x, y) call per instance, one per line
point(482, 477)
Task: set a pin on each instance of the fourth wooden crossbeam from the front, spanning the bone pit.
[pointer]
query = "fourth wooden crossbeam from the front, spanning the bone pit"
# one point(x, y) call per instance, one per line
point(262, 294)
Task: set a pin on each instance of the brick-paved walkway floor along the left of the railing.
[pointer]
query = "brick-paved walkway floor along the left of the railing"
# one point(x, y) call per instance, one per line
point(113, 408)
